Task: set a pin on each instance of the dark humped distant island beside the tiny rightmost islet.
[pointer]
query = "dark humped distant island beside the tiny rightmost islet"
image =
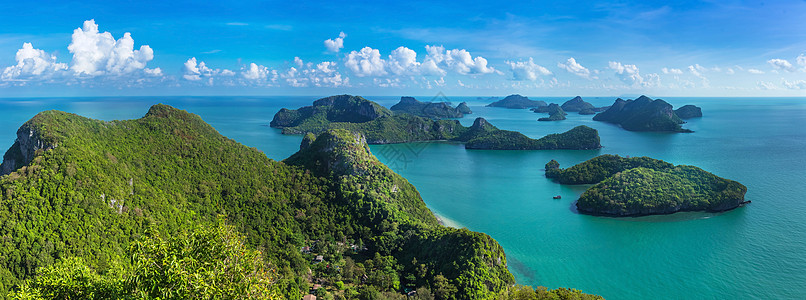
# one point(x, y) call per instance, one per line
point(642, 114)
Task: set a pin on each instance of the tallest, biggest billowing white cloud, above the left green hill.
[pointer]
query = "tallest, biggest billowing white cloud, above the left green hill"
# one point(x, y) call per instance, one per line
point(96, 53)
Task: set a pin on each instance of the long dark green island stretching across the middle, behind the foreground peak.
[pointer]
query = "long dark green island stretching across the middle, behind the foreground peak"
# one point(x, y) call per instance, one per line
point(382, 126)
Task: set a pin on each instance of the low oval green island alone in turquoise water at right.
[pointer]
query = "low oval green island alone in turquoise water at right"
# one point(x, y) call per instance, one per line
point(642, 186)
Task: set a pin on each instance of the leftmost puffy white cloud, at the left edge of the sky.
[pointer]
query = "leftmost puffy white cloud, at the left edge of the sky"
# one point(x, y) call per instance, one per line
point(32, 64)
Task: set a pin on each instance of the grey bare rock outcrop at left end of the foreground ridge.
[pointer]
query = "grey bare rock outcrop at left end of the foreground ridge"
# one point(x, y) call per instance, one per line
point(24, 149)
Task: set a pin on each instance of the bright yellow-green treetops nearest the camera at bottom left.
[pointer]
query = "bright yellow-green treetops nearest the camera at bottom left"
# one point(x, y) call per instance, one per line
point(207, 263)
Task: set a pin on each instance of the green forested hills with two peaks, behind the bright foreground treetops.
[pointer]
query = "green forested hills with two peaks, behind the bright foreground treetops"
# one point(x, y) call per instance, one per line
point(109, 184)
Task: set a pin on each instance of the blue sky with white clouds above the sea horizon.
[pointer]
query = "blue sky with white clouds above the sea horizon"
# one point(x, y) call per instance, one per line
point(468, 48)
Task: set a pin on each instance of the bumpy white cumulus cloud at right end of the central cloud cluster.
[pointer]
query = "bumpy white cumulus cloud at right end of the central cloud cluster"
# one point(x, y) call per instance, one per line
point(459, 60)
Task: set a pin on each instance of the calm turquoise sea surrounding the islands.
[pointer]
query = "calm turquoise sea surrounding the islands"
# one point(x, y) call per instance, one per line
point(758, 251)
